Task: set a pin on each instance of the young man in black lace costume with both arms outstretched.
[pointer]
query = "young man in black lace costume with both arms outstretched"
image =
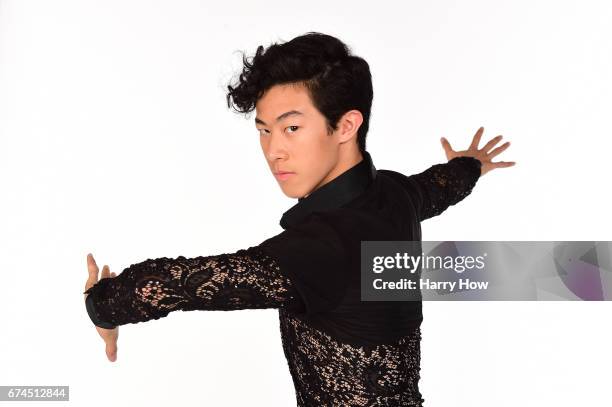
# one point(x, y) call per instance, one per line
point(313, 102)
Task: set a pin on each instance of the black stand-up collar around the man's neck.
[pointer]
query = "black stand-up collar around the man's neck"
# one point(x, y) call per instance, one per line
point(340, 190)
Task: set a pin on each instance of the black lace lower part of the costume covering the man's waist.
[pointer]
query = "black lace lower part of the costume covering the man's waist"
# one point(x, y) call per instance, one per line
point(327, 372)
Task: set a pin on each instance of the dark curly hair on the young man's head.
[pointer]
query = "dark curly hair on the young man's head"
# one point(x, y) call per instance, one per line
point(335, 80)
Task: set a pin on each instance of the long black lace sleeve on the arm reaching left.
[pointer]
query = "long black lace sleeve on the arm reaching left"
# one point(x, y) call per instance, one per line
point(246, 279)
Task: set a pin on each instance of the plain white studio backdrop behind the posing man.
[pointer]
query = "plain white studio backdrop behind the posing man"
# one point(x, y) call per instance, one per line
point(115, 139)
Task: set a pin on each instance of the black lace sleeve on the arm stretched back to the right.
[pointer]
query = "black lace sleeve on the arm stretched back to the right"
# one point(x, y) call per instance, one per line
point(443, 185)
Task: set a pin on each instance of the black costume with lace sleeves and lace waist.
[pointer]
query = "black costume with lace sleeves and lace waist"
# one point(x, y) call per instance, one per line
point(340, 351)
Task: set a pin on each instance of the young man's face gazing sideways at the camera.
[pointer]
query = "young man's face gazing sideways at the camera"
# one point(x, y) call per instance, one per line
point(294, 139)
